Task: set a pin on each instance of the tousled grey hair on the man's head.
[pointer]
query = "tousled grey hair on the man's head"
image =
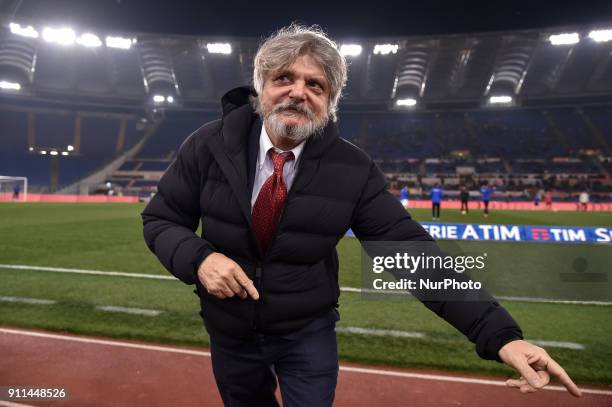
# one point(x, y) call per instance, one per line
point(282, 48)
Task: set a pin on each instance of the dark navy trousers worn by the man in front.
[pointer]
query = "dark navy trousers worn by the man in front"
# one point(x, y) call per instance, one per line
point(306, 366)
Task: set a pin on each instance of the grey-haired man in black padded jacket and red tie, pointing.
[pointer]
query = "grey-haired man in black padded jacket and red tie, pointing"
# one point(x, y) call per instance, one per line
point(276, 188)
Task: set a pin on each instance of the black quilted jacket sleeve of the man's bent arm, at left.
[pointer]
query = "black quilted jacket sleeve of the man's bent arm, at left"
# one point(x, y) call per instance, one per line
point(173, 214)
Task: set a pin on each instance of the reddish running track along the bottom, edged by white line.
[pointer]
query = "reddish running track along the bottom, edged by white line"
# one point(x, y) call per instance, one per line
point(107, 372)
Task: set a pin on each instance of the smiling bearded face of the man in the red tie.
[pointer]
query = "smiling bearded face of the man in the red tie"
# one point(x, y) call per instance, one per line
point(295, 100)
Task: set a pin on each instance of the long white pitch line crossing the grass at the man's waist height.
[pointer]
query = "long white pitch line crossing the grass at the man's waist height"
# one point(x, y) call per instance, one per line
point(343, 289)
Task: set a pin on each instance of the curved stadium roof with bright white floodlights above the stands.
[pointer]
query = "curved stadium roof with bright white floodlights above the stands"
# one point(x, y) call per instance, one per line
point(545, 65)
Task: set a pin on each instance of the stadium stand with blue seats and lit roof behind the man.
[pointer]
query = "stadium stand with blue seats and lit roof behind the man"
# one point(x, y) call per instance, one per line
point(554, 131)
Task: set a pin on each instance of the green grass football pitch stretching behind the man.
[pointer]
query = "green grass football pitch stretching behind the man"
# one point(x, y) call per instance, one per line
point(108, 237)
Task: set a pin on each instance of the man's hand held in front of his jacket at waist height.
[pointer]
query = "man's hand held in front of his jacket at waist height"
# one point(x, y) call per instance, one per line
point(224, 278)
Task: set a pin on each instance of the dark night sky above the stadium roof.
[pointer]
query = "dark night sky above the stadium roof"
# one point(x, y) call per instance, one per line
point(340, 19)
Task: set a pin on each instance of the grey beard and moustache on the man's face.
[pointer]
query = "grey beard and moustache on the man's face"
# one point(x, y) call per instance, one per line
point(297, 133)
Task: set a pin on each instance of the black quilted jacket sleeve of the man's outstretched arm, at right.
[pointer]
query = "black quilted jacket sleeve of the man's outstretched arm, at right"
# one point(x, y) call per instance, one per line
point(380, 217)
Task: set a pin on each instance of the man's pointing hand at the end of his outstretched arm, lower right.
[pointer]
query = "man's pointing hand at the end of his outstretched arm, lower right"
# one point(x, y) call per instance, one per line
point(535, 367)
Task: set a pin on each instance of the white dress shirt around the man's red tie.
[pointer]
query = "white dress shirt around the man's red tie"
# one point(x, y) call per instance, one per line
point(264, 167)
